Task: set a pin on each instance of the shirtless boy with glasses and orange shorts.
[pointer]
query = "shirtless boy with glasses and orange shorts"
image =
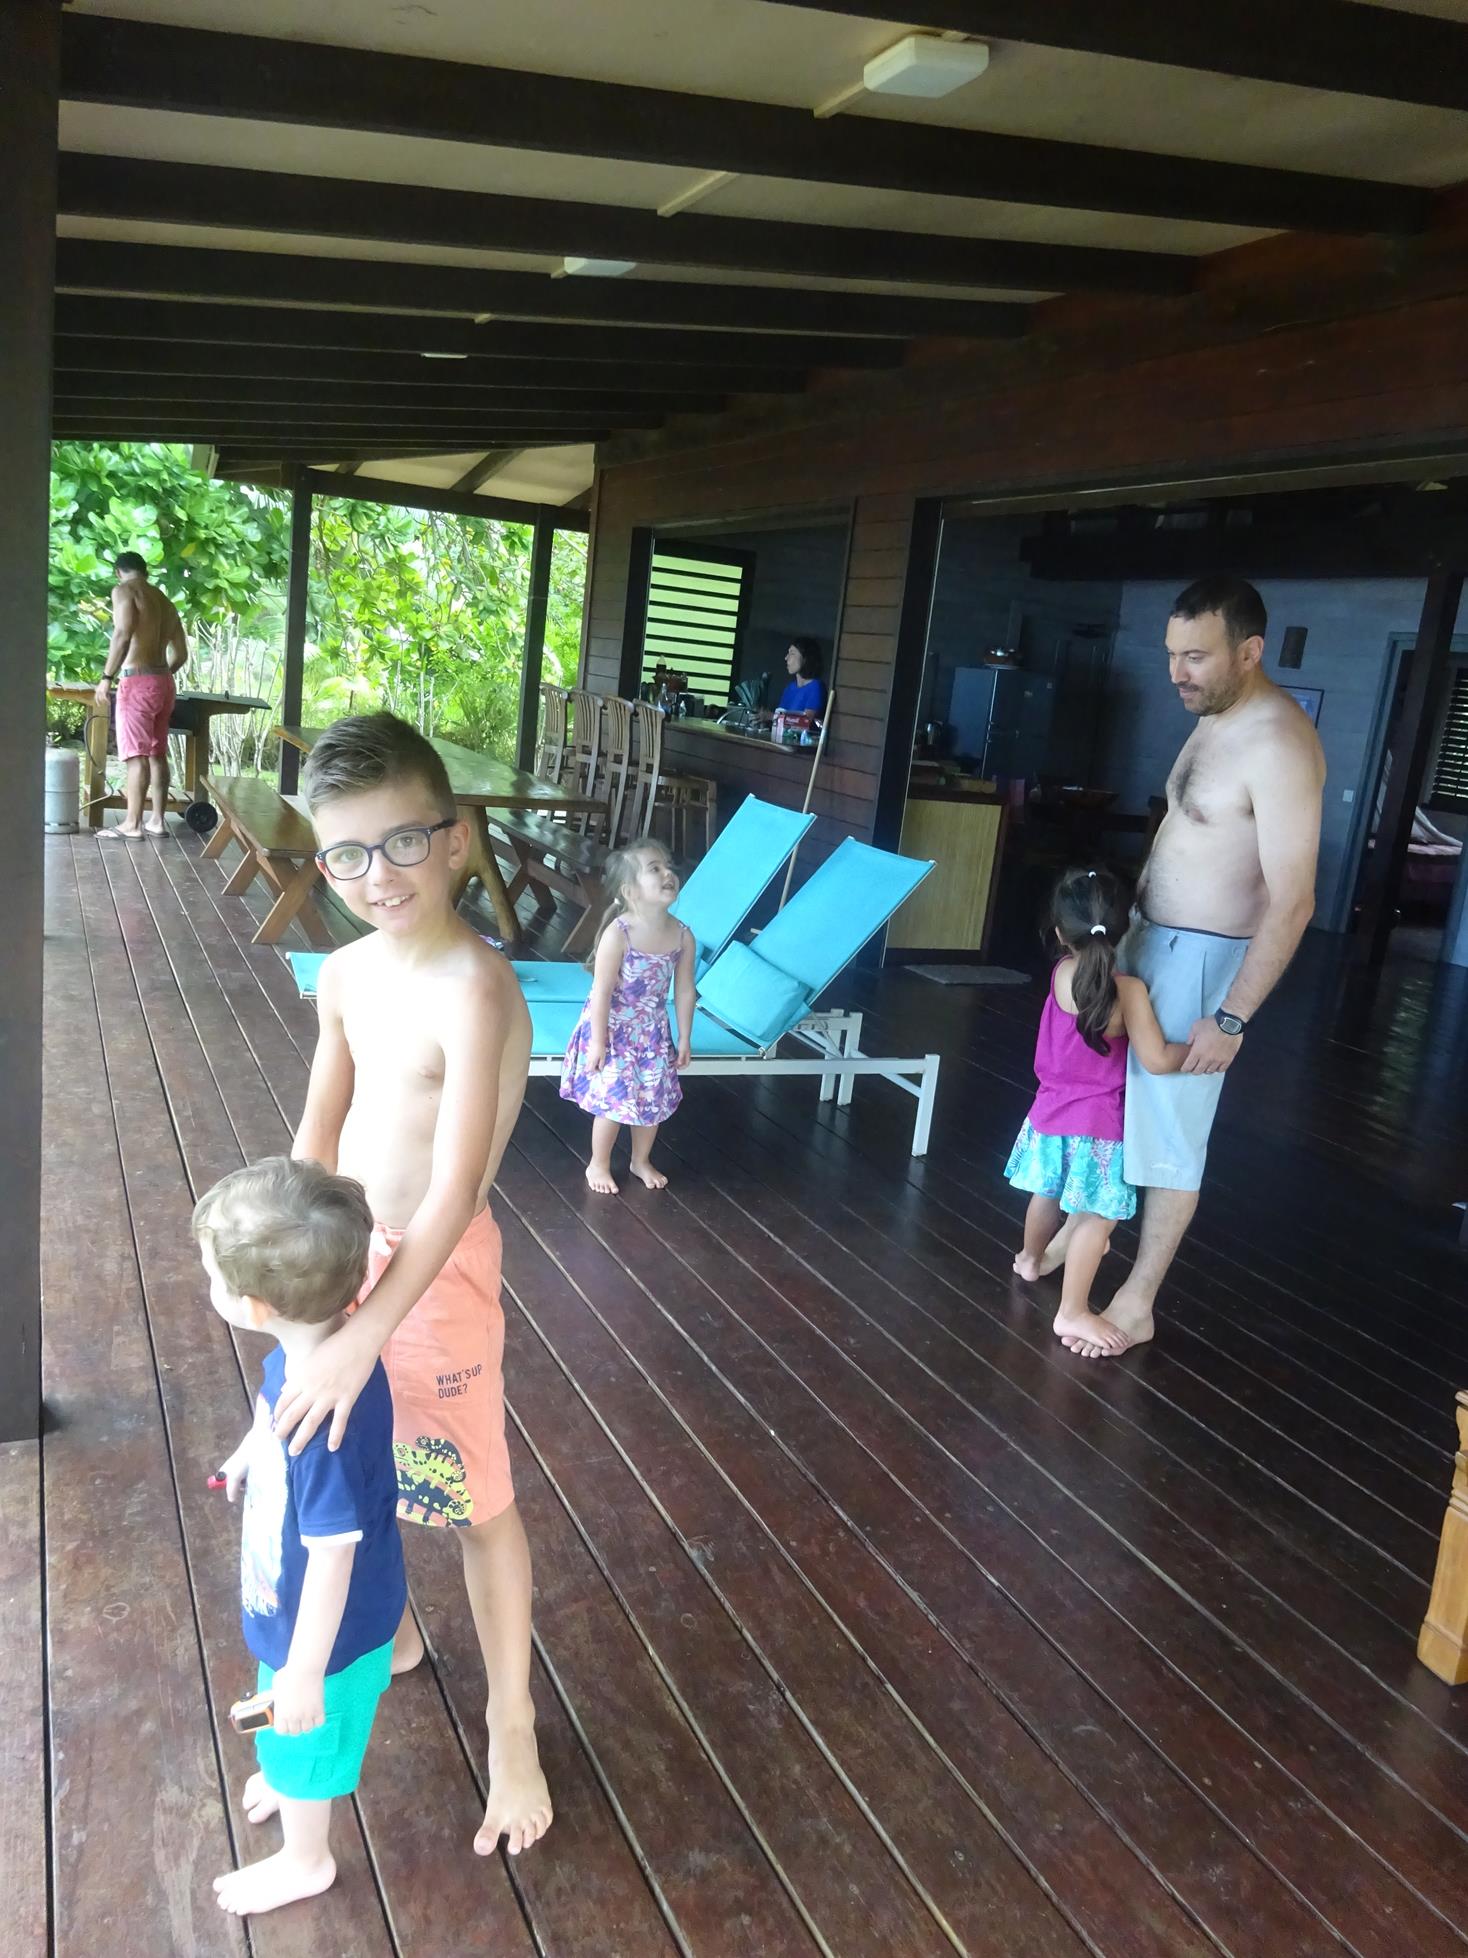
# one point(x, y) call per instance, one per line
point(416, 1086)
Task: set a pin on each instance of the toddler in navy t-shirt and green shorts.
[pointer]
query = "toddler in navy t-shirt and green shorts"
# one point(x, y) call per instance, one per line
point(322, 1567)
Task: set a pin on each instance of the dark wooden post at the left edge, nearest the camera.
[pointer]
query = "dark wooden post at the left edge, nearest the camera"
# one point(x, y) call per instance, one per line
point(30, 60)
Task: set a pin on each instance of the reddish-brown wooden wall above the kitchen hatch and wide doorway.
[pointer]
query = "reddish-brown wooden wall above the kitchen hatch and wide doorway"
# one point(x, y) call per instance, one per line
point(1295, 351)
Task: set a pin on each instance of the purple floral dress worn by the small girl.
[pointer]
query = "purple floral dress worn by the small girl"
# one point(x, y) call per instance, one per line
point(639, 1080)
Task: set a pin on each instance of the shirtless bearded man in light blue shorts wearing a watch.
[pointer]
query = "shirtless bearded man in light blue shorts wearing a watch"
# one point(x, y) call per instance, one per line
point(1226, 896)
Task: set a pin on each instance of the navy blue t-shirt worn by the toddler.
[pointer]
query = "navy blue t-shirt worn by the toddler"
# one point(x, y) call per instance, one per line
point(318, 1497)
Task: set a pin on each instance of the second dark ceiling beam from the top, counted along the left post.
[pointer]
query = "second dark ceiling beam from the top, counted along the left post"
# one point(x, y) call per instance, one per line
point(144, 191)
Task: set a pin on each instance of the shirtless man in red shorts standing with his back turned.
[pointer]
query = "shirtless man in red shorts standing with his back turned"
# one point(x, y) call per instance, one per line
point(148, 647)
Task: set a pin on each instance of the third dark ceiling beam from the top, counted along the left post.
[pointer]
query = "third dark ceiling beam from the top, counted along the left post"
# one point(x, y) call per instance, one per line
point(306, 279)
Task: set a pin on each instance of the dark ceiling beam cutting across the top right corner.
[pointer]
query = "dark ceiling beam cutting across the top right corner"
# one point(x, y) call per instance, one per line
point(1314, 44)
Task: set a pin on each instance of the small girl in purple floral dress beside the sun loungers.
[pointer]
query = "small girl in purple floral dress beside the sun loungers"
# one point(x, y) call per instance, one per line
point(621, 1064)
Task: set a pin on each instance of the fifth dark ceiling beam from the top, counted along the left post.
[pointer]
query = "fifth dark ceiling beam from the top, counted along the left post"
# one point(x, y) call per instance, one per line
point(412, 371)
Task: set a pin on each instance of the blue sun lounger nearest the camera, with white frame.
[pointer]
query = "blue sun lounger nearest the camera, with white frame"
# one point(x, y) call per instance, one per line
point(755, 998)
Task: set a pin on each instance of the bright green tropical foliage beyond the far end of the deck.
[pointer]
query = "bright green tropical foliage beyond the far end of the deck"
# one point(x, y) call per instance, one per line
point(408, 610)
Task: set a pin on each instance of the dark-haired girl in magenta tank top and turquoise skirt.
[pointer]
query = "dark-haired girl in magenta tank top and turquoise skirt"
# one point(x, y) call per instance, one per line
point(1070, 1150)
